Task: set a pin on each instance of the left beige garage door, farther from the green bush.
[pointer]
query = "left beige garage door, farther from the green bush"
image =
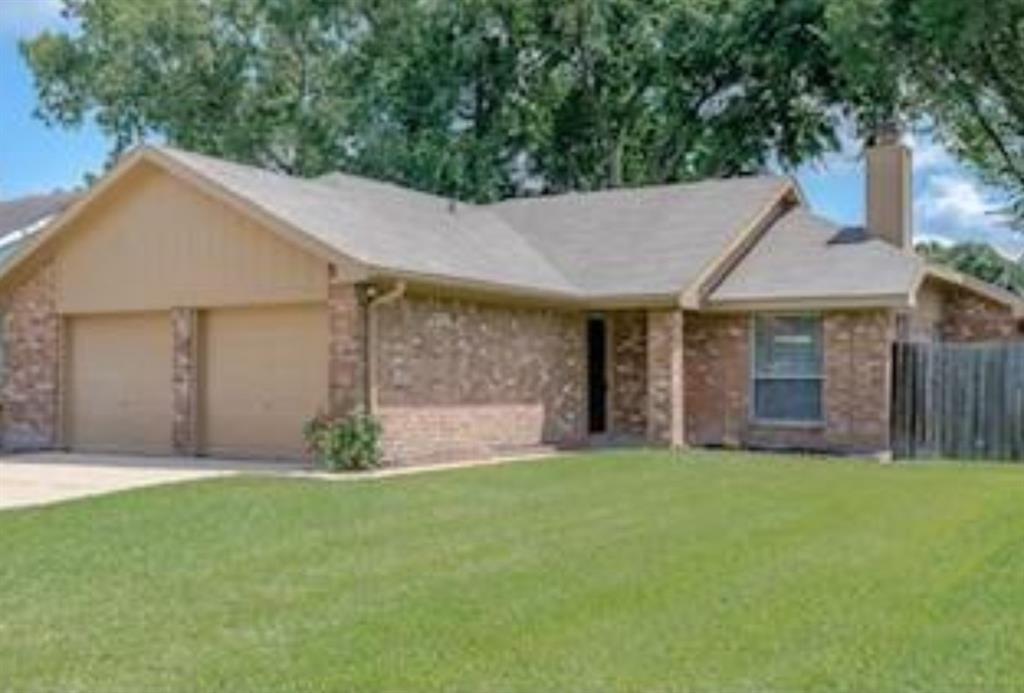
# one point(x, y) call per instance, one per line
point(120, 397)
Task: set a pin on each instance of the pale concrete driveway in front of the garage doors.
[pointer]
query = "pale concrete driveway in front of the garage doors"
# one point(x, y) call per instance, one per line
point(46, 479)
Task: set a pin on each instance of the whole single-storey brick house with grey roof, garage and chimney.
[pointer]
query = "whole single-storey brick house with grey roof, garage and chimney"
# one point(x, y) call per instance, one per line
point(195, 307)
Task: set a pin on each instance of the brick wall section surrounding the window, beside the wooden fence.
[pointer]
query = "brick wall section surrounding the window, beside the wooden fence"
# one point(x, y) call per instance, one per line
point(858, 385)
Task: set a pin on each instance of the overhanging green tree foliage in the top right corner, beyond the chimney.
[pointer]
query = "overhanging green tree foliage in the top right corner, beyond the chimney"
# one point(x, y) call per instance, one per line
point(958, 63)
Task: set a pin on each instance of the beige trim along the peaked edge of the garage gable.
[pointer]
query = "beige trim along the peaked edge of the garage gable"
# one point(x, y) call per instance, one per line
point(148, 155)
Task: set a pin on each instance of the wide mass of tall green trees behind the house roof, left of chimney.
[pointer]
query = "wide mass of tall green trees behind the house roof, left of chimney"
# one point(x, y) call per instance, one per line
point(473, 99)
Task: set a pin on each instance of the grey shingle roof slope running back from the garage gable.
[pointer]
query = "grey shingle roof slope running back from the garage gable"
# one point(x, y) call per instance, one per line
point(390, 228)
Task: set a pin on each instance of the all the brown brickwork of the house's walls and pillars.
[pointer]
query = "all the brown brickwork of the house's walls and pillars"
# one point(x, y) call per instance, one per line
point(459, 377)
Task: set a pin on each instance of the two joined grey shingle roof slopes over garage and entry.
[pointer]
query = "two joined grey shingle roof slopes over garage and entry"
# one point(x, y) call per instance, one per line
point(642, 242)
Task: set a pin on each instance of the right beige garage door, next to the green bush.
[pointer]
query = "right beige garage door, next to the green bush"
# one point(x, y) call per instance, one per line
point(264, 376)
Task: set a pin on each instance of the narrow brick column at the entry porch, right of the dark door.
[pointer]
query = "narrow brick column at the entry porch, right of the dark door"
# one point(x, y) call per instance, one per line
point(665, 378)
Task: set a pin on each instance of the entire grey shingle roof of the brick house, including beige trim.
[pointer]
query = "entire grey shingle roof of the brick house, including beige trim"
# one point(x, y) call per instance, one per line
point(715, 244)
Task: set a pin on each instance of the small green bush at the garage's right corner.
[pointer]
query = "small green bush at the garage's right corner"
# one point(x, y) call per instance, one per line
point(346, 444)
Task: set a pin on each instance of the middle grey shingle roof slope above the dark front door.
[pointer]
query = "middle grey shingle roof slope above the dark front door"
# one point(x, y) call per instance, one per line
point(642, 242)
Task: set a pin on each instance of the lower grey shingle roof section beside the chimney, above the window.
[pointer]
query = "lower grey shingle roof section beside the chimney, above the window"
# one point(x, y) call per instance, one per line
point(807, 258)
